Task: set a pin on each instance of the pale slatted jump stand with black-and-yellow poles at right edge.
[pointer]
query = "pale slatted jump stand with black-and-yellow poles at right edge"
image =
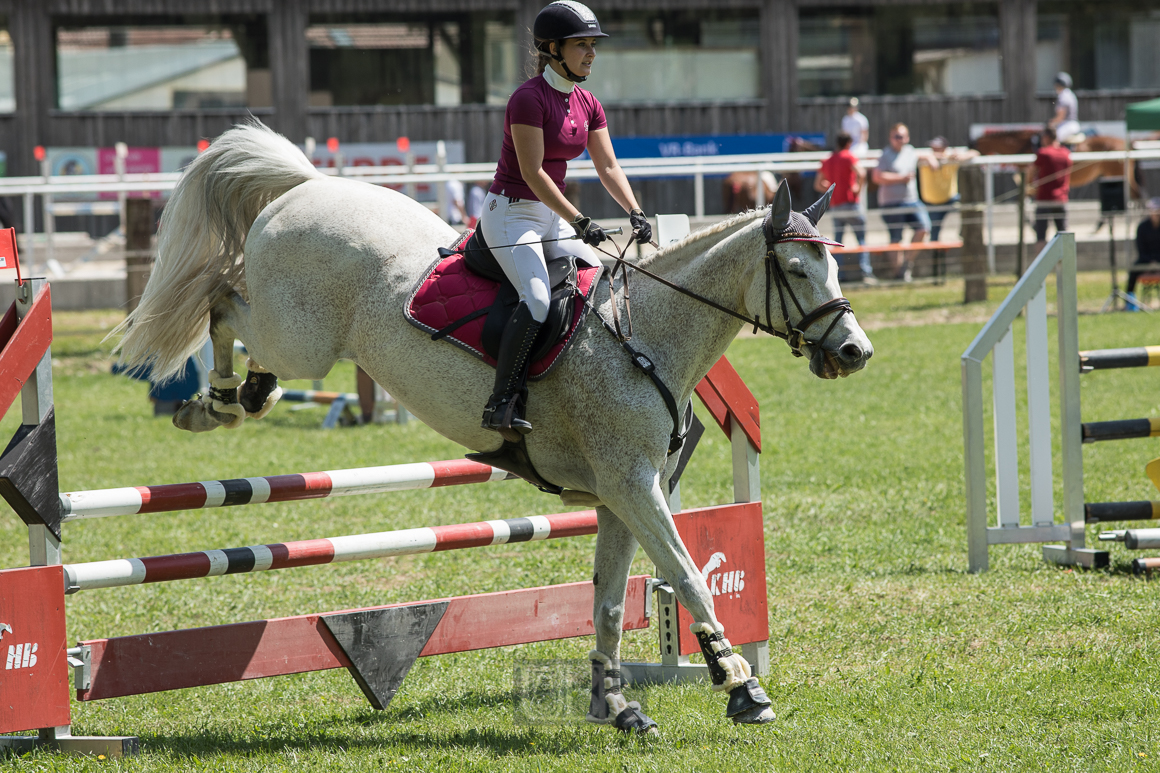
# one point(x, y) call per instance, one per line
point(1031, 293)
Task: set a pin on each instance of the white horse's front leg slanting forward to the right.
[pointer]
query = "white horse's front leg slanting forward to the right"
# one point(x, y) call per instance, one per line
point(639, 501)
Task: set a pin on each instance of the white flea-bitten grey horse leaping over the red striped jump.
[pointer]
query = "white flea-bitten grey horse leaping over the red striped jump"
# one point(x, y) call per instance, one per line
point(307, 269)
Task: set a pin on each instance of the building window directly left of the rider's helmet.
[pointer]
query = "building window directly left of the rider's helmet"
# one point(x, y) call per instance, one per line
point(447, 60)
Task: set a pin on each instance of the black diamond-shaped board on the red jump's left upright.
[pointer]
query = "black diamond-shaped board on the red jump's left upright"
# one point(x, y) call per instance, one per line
point(28, 474)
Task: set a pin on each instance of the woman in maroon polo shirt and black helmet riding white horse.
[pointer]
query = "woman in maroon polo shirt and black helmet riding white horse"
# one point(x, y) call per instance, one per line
point(549, 121)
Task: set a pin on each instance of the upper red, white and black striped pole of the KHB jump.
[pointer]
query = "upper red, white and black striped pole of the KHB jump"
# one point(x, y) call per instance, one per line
point(172, 497)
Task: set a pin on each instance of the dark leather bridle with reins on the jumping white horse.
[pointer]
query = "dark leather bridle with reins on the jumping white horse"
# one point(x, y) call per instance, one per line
point(775, 277)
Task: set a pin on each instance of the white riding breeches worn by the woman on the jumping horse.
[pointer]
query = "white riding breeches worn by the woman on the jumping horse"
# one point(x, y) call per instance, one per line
point(526, 225)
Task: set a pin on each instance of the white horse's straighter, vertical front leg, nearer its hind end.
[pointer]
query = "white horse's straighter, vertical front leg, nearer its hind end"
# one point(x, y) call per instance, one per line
point(615, 550)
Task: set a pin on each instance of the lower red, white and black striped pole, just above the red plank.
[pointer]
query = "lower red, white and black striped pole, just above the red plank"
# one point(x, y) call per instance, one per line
point(310, 553)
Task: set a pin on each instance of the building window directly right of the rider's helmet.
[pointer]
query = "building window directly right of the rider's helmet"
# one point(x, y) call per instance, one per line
point(702, 55)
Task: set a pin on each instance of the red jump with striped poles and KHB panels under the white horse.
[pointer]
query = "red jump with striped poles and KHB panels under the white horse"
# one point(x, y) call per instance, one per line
point(378, 645)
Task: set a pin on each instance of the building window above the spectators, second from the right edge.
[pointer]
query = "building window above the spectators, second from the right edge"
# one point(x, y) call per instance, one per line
point(941, 49)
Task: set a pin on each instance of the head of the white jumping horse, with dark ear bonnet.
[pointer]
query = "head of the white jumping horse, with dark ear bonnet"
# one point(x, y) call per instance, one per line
point(797, 293)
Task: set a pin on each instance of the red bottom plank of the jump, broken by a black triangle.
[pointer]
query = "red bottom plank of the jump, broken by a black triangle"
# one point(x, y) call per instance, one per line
point(133, 666)
